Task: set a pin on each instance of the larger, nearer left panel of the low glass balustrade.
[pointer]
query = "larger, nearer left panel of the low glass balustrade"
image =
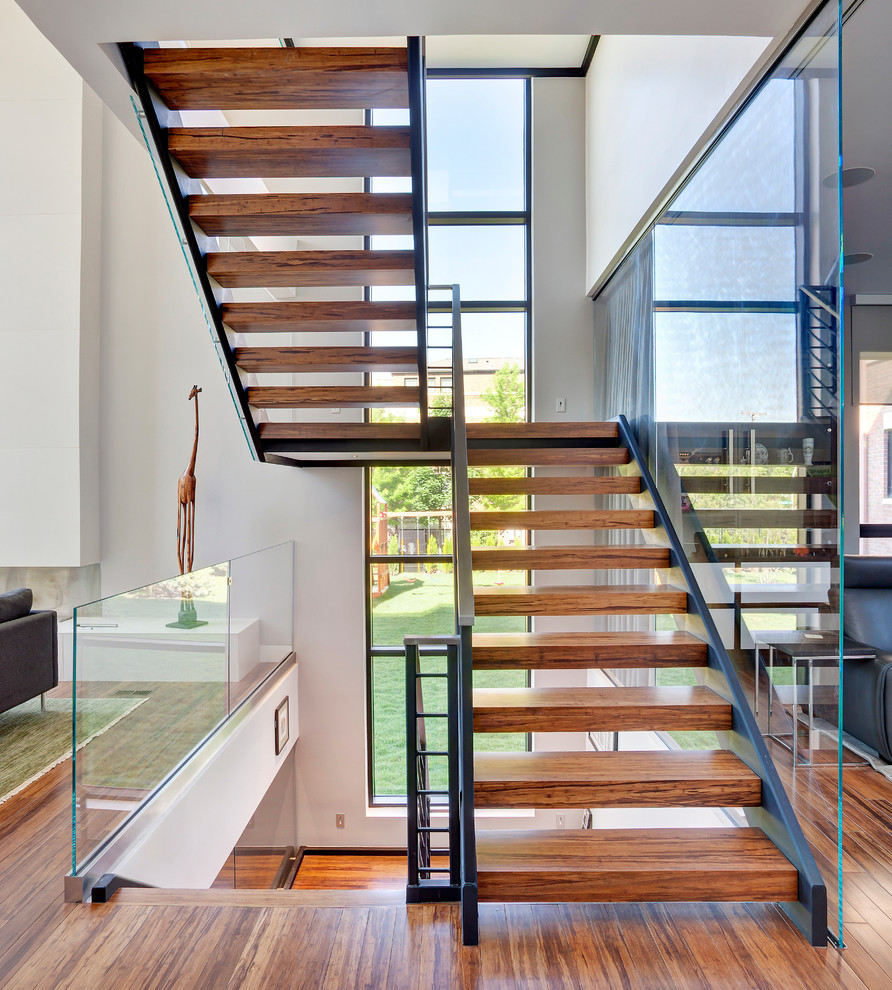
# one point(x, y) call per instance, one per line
point(162, 651)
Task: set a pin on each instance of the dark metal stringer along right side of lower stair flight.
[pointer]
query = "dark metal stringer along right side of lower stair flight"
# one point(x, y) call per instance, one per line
point(775, 816)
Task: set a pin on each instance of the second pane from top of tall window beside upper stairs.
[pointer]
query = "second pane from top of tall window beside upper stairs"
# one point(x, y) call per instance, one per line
point(487, 262)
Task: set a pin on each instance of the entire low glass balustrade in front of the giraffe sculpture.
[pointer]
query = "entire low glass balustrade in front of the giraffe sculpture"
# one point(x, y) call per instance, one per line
point(172, 660)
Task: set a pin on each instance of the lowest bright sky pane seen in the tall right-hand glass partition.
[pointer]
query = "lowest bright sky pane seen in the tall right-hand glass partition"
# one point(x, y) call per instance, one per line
point(735, 367)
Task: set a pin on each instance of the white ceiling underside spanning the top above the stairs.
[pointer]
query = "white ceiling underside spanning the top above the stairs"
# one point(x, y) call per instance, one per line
point(86, 32)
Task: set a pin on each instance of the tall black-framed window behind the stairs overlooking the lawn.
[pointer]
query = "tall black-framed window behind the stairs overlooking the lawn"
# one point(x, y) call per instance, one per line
point(479, 209)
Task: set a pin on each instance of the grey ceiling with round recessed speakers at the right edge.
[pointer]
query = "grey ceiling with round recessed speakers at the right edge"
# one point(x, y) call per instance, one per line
point(867, 141)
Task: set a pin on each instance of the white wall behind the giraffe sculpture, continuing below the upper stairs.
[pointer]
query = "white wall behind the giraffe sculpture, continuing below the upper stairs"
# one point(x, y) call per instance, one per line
point(155, 346)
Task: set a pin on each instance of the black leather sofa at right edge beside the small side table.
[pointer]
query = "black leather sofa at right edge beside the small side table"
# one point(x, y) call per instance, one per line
point(867, 618)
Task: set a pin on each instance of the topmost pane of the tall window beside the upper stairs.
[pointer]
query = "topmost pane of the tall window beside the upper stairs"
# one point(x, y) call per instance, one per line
point(475, 144)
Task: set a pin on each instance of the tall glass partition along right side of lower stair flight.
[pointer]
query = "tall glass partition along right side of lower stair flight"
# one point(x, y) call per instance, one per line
point(720, 339)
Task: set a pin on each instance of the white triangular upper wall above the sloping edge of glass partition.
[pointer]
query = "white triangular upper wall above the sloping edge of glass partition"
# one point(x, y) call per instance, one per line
point(649, 101)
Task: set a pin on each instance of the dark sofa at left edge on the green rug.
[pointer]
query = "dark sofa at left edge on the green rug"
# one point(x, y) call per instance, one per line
point(29, 651)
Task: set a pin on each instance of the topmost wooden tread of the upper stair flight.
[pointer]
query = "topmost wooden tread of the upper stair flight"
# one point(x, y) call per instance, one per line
point(279, 78)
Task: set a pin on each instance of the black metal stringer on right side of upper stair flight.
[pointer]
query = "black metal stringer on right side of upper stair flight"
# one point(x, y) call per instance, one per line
point(418, 155)
